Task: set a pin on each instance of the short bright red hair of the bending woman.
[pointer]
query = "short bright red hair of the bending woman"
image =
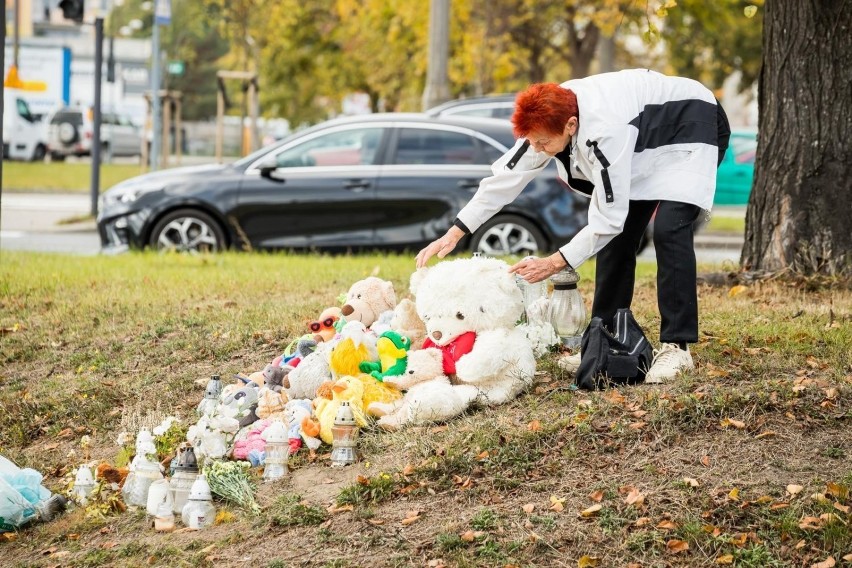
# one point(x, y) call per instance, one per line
point(544, 107)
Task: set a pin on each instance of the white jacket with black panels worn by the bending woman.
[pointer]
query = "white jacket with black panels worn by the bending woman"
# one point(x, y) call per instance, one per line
point(642, 136)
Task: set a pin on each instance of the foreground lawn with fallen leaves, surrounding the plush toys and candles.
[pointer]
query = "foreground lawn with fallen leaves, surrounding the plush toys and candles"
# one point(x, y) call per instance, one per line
point(93, 346)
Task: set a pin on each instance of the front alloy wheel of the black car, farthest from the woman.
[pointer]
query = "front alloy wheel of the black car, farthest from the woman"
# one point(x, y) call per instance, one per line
point(187, 231)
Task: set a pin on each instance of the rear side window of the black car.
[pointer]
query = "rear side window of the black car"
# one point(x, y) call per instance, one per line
point(428, 146)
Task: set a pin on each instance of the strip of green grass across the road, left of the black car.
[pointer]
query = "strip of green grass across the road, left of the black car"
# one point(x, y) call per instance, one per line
point(63, 176)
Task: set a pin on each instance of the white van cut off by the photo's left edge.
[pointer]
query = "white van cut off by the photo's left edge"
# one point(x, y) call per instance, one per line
point(24, 136)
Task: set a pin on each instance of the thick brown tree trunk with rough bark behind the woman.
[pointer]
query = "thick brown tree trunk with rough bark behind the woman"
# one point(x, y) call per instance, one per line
point(800, 207)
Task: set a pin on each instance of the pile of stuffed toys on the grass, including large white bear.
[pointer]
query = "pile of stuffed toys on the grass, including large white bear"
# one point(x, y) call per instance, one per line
point(424, 359)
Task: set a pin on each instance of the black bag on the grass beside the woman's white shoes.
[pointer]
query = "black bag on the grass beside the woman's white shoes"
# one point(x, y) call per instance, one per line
point(609, 359)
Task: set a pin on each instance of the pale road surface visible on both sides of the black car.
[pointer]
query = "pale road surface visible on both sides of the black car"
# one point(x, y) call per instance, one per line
point(31, 221)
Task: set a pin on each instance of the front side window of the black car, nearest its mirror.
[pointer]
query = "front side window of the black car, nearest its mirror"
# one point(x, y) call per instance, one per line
point(353, 147)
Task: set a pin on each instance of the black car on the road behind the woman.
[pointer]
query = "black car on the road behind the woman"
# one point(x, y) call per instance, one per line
point(380, 181)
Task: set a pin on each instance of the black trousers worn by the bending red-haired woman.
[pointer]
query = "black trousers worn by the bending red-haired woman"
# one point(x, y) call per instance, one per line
point(677, 294)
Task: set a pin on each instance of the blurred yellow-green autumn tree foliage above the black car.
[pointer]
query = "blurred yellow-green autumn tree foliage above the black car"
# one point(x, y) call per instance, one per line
point(310, 54)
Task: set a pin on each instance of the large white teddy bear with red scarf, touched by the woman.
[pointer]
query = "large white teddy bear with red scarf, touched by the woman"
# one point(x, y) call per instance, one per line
point(476, 301)
